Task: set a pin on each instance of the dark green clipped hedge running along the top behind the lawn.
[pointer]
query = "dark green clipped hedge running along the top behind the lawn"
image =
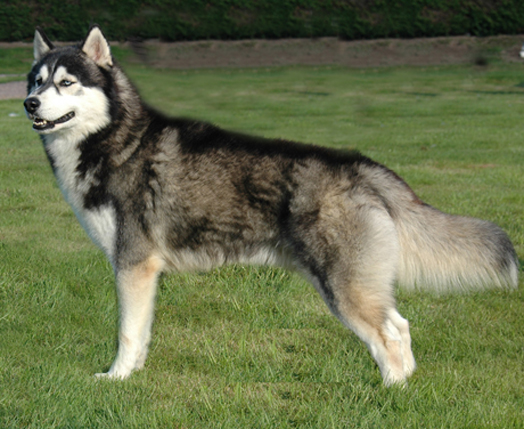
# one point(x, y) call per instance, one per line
point(173, 20)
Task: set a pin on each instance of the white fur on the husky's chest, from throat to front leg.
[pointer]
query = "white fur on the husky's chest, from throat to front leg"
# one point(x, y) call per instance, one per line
point(100, 222)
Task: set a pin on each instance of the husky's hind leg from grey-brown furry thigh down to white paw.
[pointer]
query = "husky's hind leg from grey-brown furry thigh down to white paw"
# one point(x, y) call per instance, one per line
point(352, 256)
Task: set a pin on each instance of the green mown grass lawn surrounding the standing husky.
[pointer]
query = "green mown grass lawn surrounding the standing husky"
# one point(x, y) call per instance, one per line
point(244, 347)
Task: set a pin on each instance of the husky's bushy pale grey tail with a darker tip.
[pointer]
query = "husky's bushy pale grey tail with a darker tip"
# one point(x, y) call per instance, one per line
point(444, 252)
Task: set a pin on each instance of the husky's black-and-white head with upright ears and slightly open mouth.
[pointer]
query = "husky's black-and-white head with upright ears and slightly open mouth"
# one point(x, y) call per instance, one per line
point(67, 85)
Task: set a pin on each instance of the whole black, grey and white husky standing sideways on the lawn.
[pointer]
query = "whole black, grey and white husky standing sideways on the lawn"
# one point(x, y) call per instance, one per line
point(158, 193)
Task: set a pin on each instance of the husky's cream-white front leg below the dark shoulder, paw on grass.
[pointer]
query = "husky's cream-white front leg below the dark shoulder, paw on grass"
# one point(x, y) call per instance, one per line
point(136, 287)
